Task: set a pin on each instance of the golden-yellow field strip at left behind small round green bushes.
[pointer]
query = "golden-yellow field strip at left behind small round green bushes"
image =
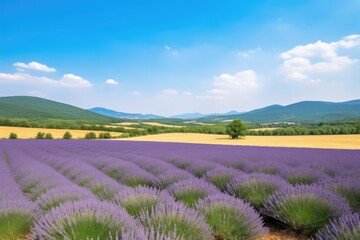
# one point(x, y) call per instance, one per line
point(25, 133)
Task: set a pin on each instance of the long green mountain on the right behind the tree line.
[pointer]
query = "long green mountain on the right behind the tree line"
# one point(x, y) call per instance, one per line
point(307, 111)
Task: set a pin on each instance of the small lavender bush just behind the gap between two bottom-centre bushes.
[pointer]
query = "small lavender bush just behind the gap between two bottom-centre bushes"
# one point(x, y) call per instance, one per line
point(192, 190)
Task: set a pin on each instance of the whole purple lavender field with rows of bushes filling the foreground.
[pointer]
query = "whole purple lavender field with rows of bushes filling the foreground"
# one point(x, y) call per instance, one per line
point(77, 190)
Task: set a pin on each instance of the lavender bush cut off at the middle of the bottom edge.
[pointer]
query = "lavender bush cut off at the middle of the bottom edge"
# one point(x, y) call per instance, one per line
point(175, 221)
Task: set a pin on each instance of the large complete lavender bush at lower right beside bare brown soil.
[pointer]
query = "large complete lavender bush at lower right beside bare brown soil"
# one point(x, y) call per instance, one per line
point(305, 208)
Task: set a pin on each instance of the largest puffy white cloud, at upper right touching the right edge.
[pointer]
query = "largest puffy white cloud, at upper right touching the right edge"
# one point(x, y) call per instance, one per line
point(303, 62)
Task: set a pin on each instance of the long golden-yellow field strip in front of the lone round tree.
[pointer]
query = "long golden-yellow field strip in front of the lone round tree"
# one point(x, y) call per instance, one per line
point(321, 141)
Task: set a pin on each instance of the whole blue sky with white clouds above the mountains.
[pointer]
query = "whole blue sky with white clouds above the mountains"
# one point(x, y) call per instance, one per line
point(170, 57)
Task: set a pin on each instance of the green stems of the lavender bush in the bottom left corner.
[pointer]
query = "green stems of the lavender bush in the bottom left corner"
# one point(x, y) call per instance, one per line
point(14, 225)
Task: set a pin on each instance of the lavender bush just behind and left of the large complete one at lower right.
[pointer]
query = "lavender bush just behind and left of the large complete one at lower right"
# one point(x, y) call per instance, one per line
point(256, 188)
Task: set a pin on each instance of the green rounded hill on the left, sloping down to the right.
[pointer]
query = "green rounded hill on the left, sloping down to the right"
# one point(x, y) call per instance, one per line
point(39, 108)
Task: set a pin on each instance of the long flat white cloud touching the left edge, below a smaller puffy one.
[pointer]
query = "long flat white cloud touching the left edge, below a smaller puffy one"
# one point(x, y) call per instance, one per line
point(68, 80)
